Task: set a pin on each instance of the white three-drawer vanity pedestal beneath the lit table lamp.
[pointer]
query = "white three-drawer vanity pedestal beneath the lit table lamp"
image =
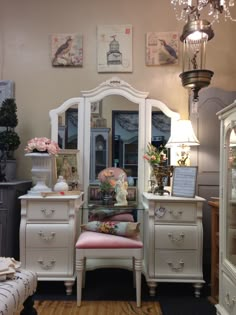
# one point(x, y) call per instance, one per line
point(173, 240)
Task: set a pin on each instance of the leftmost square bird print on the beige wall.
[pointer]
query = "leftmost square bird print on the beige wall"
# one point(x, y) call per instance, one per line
point(67, 50)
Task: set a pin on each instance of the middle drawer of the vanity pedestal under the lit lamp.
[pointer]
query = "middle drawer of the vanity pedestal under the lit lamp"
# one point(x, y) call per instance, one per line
point(176, 237)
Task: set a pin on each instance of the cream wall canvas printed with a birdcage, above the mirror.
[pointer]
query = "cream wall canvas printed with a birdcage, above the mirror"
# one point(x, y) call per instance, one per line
point(114, 48)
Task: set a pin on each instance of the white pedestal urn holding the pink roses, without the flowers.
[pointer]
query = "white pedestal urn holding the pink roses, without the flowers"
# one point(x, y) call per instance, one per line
point(41, 172)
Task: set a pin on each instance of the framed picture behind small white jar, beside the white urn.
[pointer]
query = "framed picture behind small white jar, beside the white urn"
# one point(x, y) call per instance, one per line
point(67, 165)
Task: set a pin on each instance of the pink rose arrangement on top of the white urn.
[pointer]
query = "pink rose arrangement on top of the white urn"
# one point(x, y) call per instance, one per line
point(42, 145)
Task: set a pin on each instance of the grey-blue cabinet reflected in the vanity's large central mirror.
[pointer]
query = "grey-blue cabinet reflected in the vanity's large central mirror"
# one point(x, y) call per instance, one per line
point(99, 150)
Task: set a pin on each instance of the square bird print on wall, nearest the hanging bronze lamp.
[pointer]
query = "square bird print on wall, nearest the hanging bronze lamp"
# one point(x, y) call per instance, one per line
point(162, 48)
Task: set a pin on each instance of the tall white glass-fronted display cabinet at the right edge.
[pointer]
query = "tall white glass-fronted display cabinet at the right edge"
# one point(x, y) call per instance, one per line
point(227, 229)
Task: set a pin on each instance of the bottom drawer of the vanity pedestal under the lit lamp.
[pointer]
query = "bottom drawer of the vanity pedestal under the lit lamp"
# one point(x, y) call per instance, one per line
point(177, 264)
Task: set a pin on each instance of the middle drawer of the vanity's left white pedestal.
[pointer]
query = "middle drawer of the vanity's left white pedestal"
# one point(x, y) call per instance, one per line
point(47, 235)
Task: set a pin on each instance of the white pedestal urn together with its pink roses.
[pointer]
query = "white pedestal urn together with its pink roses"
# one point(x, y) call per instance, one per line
point(41, 151)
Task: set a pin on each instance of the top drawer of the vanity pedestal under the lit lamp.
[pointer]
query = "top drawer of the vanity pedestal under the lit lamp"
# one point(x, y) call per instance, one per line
point(175, 212)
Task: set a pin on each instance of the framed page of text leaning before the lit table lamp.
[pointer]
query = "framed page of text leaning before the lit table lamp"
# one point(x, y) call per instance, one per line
point(184, 181)
